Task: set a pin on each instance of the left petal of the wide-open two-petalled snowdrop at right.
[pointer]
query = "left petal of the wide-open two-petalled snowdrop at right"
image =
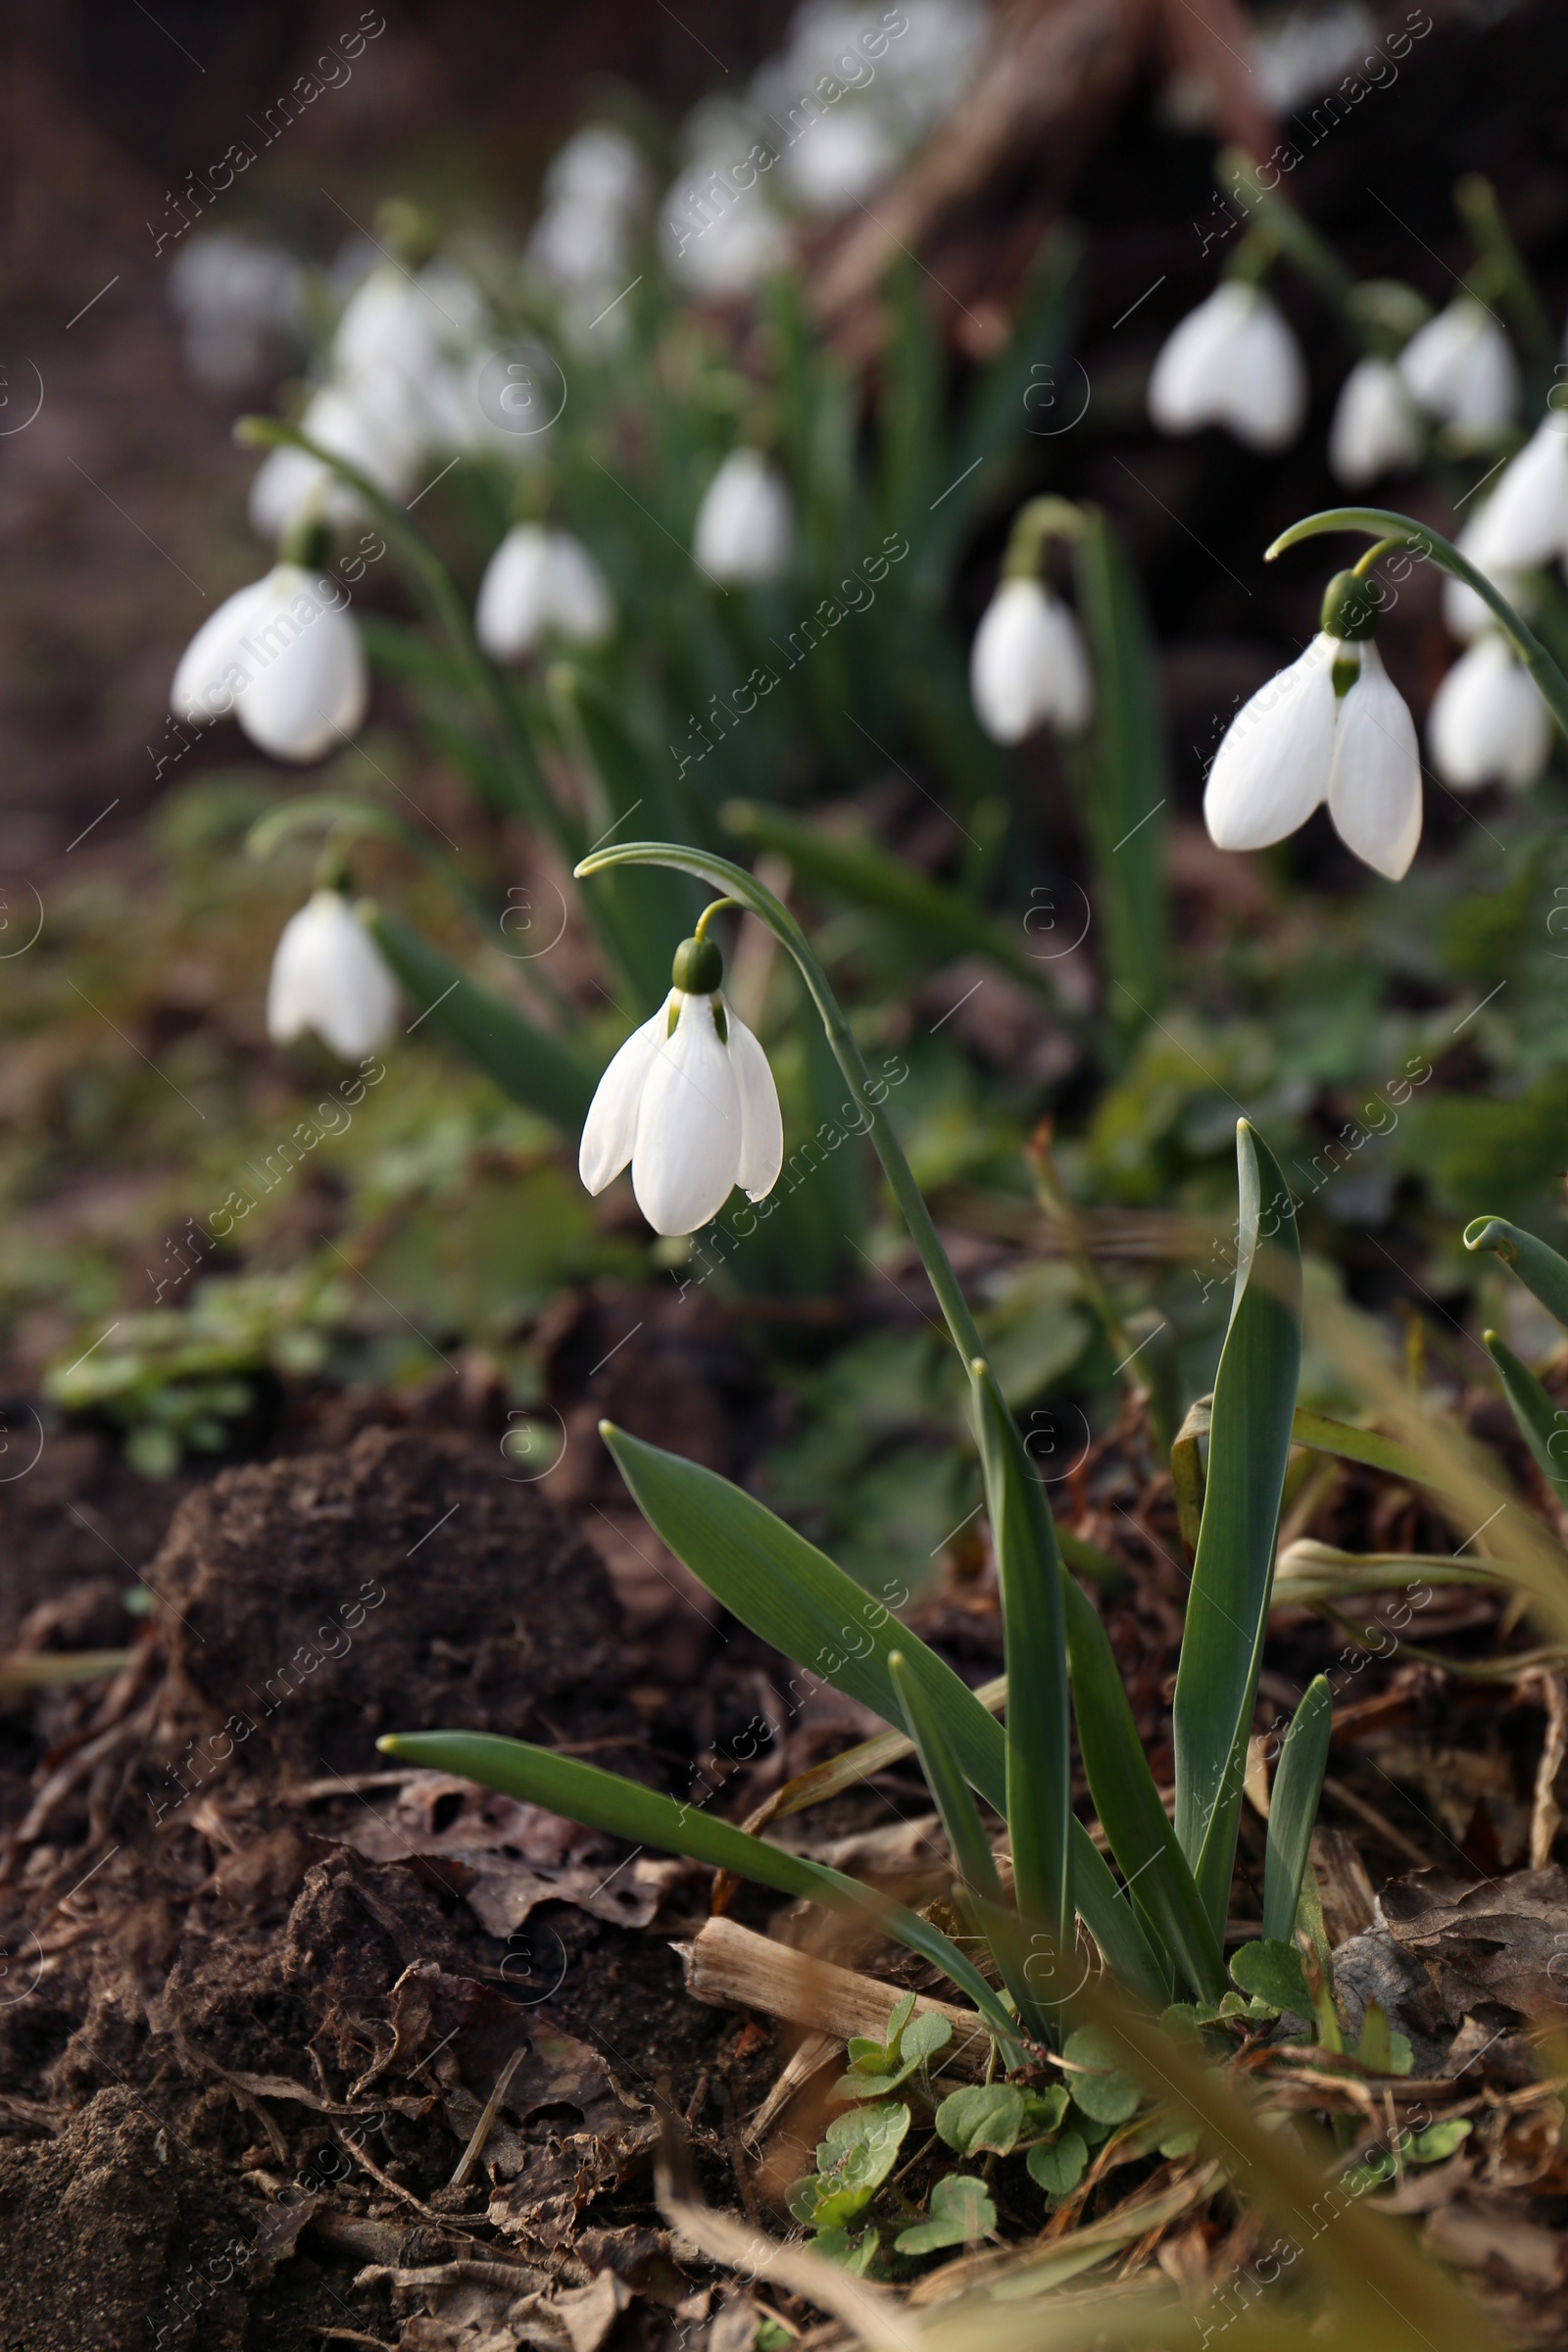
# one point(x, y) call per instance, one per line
point(1273, 768)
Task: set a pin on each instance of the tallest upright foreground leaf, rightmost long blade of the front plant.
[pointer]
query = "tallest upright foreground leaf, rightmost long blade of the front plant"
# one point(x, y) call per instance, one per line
point(1228, 1605)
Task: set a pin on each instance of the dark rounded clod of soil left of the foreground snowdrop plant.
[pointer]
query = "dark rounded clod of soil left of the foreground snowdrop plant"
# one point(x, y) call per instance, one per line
point(403, 1584)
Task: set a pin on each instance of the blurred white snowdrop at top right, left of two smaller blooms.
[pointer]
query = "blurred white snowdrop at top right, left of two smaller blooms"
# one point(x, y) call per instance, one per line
point(1233, 363)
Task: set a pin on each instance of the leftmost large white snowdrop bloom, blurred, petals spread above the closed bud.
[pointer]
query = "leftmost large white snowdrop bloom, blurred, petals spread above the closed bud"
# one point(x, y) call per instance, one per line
point(286, 657)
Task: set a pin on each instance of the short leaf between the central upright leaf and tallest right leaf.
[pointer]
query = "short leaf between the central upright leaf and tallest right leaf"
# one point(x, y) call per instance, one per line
point(1127, 1803)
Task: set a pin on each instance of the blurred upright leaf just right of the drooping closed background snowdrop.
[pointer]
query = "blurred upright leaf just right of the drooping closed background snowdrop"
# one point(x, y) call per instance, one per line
point(1123, 775)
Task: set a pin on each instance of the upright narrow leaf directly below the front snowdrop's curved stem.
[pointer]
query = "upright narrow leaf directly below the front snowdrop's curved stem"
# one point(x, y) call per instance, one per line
point(1036, 1641)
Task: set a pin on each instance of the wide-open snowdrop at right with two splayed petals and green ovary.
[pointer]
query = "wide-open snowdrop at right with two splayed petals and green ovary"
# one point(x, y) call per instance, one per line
point(1327, 730)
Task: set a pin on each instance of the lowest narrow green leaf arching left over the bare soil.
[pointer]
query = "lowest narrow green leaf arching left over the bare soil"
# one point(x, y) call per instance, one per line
point(603, 1800)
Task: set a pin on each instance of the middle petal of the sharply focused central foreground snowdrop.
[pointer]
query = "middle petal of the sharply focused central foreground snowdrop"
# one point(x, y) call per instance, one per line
point(688, 1125)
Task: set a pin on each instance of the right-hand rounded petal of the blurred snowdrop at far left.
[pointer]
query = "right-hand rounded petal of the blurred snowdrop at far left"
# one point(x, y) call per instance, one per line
point(309, 683)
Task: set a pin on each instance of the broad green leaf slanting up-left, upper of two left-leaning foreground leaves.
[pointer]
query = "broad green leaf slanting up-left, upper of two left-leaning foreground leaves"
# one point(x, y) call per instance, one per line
point(808, 1608)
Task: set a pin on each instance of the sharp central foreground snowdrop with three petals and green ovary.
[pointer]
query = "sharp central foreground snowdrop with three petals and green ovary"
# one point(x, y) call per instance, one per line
point(690, 1102)
